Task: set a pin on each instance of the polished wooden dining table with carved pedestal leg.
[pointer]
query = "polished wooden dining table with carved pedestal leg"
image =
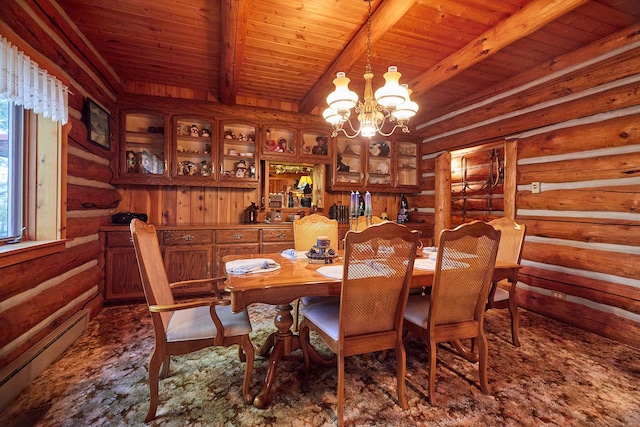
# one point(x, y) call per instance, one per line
point(297, 277)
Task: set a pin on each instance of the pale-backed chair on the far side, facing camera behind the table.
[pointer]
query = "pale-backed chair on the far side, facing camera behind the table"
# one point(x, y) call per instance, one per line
point(305, 234)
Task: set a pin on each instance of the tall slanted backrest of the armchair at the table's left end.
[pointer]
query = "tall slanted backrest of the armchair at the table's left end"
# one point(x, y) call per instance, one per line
point(151, 265)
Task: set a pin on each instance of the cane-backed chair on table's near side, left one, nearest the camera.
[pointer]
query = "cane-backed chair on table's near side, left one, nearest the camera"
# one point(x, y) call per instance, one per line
point(377, 272)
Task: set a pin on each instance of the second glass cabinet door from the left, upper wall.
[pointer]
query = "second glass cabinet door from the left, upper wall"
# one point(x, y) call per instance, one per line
point(194, 153)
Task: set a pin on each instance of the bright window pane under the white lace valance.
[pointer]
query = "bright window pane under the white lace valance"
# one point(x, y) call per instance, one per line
point(11, 170)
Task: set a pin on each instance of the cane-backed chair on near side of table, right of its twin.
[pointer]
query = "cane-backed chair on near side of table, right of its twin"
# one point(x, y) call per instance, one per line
point(455, 308)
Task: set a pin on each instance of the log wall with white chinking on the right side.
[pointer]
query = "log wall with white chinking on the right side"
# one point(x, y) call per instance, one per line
point(573, 126)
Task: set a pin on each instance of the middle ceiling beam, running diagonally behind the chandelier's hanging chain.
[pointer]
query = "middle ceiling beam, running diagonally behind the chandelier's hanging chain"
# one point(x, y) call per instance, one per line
point(385, 16)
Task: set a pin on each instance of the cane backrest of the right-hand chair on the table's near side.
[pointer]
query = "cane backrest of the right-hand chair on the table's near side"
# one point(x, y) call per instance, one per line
point(464, 269)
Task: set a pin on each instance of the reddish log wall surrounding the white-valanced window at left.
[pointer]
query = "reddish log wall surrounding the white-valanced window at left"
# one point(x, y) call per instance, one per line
point(39, 295)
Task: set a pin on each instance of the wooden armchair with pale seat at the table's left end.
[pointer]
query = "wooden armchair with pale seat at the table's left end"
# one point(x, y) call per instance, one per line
point(185, 327)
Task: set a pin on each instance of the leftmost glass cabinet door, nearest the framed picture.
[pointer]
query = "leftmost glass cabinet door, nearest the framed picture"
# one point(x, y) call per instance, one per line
point(144, 145)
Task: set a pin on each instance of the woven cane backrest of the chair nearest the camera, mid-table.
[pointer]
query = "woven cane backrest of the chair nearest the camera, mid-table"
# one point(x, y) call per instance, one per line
point(377, 275)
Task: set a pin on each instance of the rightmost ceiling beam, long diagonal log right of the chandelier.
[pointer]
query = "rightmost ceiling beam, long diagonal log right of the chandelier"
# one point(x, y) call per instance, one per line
point(527, 20)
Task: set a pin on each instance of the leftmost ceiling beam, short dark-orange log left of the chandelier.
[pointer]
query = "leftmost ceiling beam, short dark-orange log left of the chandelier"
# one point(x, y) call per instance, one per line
point(233, 36)
